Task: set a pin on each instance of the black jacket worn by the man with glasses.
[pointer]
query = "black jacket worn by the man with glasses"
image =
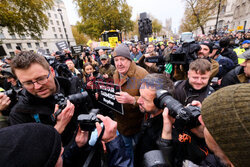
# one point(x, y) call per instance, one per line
point(30, 106)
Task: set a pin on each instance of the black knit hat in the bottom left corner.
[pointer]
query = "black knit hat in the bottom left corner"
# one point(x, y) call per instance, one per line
point(29, 145)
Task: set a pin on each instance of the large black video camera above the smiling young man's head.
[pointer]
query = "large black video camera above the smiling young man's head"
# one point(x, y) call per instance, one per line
point(185, 54)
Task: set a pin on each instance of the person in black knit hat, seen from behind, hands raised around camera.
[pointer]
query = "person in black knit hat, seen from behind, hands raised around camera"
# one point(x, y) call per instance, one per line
point(40, 145)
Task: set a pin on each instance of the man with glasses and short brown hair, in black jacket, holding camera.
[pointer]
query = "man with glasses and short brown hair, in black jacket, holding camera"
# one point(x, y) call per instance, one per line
point(36, 101)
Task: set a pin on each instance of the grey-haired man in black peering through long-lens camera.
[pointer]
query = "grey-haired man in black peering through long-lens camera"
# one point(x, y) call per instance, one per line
point(152, 125)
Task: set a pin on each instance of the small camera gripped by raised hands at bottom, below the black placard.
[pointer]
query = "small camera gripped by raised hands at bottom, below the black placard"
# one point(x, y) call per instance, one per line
point(87, 121)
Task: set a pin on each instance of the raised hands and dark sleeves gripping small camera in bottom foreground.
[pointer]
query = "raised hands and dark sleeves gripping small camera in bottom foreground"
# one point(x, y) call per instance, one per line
point(79, 152)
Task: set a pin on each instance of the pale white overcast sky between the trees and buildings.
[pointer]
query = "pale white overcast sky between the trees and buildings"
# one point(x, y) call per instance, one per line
point(160, 9)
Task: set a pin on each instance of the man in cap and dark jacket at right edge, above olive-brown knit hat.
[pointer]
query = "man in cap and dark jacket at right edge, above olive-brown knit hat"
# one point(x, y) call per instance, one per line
point(240, 74)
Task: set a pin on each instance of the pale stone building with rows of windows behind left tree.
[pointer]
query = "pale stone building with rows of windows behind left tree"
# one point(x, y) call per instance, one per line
point(56, 32)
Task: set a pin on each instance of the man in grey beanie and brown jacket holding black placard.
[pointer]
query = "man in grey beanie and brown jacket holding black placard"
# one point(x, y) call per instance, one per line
point(128, 75)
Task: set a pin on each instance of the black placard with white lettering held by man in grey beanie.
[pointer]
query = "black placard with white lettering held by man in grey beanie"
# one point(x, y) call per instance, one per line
point(107, 95)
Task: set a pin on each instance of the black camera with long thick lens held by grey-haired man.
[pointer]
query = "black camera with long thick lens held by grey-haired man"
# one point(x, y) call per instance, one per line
point(187, 116)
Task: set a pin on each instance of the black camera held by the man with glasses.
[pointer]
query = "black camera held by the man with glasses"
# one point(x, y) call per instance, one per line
point(62, 101)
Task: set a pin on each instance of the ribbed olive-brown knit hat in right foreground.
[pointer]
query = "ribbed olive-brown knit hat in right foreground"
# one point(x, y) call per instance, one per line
point(226, 114)
